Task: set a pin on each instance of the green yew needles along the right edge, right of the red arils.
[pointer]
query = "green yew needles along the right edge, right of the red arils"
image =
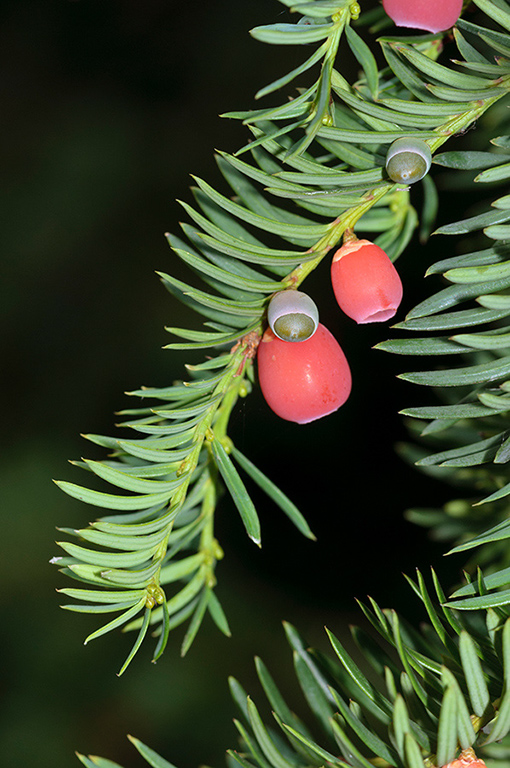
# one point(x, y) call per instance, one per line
point(470, 433)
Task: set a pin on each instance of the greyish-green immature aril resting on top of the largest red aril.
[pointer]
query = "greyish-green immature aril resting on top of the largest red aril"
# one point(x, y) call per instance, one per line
point(292, 315)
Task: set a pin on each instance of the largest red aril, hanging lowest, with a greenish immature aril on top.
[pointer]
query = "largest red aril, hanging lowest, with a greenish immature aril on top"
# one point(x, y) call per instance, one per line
point(305, 381)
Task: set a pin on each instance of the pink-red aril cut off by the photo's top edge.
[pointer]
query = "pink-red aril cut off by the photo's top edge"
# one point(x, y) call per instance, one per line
point(430, 15)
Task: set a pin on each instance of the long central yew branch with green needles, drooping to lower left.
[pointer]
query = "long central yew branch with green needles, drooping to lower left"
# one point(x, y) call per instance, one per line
point(151, 559)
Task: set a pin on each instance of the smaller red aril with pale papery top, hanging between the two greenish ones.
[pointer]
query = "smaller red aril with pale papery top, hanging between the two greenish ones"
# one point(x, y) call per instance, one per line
point(366, 284)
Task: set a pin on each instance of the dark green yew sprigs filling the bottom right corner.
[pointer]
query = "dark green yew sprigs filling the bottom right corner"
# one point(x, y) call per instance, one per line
point(414, 699)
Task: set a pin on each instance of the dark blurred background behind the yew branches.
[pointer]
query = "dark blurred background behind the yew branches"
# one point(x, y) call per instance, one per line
point(106, 108)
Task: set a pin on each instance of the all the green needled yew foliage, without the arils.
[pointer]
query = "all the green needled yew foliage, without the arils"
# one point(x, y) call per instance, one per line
point(313, 169)
